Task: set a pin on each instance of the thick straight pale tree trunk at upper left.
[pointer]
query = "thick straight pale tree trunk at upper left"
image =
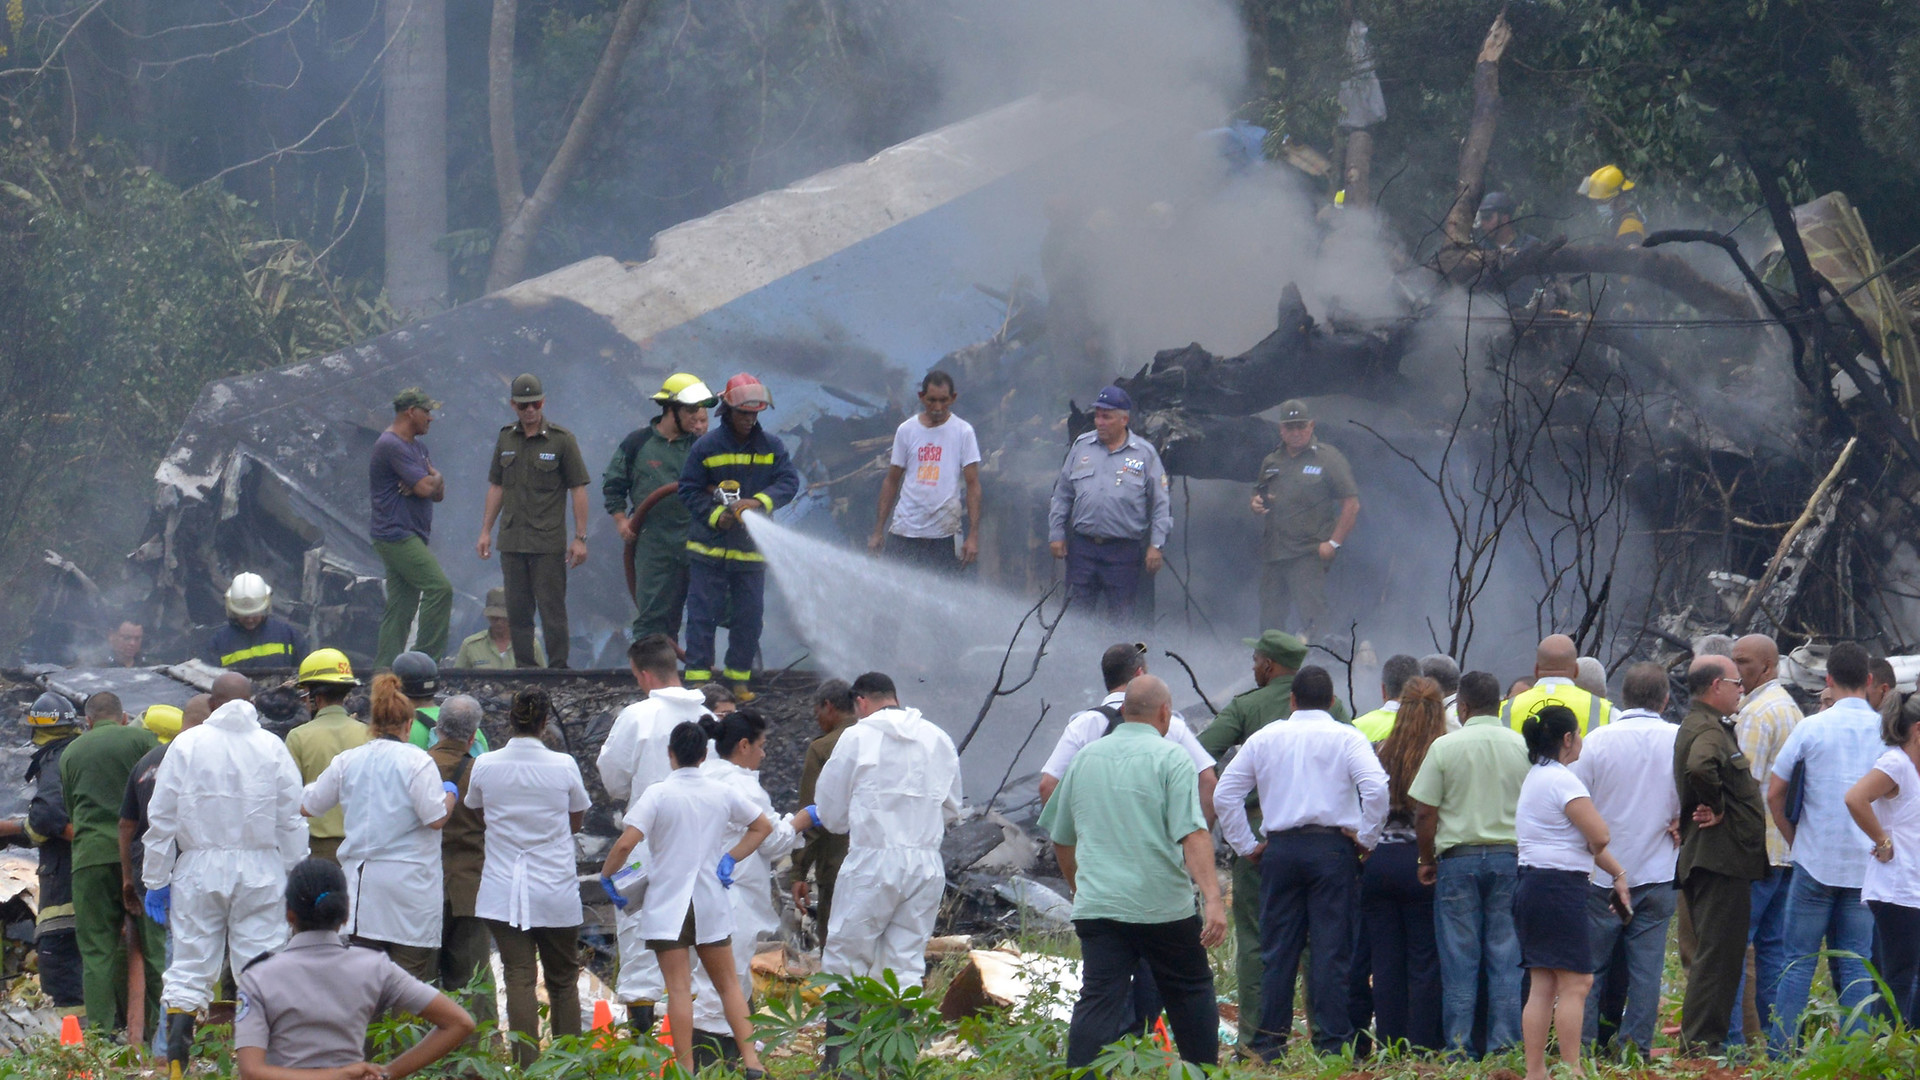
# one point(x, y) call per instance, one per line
point(414, 82)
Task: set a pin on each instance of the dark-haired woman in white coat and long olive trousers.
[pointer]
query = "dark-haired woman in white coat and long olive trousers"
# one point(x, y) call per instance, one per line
point(533, 804)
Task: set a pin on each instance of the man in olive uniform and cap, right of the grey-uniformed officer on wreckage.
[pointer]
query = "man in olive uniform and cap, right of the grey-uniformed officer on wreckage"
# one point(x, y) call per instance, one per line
point(1308, 499)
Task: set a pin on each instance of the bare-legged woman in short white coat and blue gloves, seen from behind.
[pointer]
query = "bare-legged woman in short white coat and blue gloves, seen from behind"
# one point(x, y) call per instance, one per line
point(686, 823)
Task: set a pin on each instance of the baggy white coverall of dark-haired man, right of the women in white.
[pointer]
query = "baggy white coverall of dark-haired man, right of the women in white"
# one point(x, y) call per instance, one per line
point(892, 787)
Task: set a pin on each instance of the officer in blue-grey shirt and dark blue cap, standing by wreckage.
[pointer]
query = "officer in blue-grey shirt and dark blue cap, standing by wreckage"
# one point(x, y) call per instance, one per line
point(1111, 512)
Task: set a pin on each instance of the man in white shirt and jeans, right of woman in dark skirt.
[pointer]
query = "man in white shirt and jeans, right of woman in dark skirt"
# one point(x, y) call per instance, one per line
point(1627, 770)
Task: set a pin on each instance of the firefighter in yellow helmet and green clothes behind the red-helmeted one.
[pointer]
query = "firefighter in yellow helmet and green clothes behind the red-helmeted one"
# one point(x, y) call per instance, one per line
point(638, 489)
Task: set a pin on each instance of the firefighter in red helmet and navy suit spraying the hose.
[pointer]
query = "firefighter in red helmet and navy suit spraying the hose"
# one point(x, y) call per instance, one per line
point(732, 470)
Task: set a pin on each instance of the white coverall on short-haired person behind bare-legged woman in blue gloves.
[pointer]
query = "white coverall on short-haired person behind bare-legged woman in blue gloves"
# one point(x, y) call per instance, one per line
point(631, 762)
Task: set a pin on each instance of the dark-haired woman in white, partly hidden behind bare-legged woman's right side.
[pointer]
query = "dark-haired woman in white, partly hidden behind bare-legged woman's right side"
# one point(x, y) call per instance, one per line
point(740, 747)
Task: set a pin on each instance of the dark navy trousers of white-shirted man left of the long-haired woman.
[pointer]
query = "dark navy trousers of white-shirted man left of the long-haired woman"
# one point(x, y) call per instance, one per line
point(1310, 893)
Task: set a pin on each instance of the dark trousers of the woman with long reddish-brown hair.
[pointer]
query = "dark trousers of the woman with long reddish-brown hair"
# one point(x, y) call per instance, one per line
point(1406, 962)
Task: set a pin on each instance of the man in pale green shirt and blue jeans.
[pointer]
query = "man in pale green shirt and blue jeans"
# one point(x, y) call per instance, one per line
point(1466, 795)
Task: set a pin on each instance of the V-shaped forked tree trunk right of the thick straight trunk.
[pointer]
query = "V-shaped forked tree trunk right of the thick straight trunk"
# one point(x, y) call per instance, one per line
point(517, 232)
